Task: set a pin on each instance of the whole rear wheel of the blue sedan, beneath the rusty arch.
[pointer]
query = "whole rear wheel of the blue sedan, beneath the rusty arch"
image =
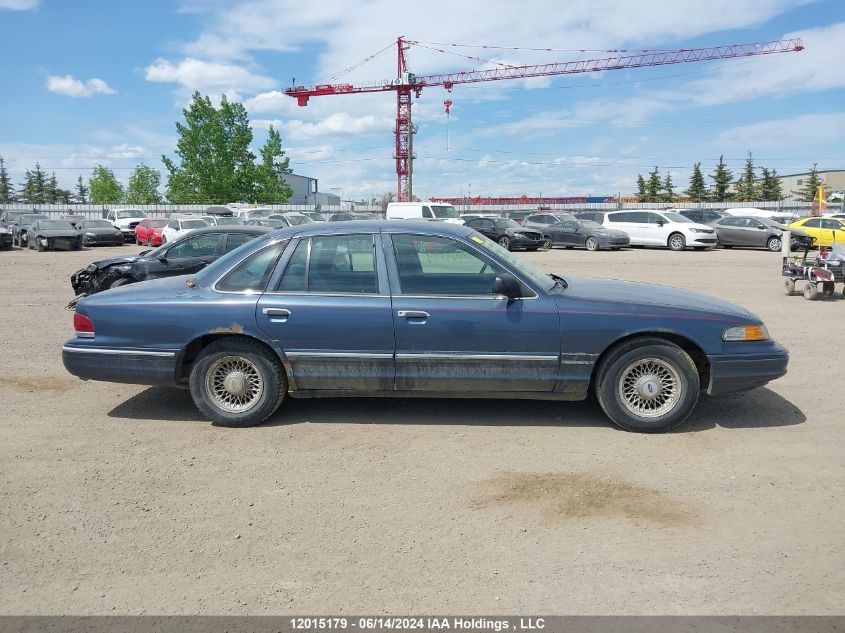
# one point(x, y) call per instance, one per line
point(237, 383)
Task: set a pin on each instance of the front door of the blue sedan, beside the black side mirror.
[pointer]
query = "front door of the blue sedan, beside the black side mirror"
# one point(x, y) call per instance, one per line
point(452, 332)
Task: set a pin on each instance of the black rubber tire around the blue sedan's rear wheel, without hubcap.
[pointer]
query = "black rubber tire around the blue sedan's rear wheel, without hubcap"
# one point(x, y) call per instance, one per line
point(258, 359)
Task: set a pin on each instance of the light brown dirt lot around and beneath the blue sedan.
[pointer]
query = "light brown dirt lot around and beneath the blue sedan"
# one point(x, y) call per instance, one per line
point(121, 499)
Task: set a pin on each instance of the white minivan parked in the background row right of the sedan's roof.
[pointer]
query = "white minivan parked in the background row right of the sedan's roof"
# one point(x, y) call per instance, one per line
point(652, 227)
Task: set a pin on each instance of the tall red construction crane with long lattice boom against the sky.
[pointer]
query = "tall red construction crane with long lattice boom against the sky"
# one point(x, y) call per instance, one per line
point(406, 83)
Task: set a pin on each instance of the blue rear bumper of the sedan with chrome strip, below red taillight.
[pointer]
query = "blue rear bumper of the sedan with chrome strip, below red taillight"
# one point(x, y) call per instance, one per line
point(109, 364)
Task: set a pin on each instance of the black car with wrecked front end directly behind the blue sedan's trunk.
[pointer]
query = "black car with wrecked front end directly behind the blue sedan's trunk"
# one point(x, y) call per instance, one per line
point(180, 257)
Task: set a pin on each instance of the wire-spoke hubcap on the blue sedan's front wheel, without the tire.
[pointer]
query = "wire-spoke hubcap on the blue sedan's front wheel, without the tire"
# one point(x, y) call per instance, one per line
point(650, 388)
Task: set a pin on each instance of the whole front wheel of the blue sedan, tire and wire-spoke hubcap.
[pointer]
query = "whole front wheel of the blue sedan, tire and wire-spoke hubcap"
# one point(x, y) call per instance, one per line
point(648, 386)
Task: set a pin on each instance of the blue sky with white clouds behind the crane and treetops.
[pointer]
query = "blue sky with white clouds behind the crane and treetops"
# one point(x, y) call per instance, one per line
point(88, 82)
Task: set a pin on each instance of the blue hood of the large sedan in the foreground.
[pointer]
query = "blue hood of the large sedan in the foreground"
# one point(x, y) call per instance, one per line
point(650, 296)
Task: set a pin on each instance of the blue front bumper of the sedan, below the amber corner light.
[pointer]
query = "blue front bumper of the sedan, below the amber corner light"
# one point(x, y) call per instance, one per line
point(739, 372)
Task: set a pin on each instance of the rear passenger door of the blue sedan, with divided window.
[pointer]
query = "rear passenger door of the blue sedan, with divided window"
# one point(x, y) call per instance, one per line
point(329, 310)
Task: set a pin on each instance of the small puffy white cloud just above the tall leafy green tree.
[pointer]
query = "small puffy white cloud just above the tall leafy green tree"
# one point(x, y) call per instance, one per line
point(207, 77)
